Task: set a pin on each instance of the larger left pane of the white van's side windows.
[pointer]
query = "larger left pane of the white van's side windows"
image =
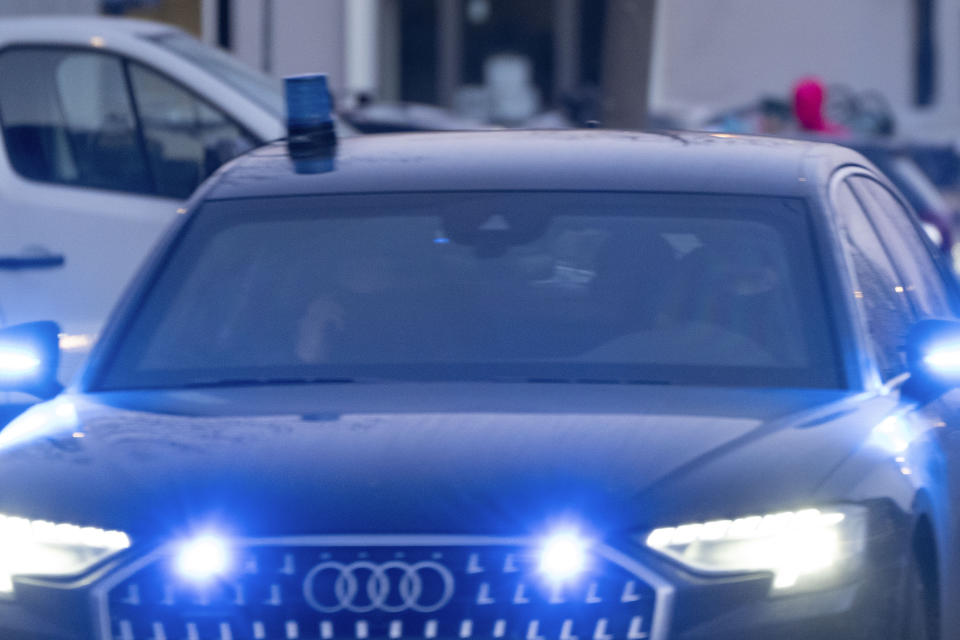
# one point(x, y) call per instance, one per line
point(67, 119)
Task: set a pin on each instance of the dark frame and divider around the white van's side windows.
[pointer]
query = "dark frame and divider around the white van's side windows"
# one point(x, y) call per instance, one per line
point(125, 60)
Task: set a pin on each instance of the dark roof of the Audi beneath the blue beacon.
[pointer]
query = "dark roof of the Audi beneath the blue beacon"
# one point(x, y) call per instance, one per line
point(575, 160)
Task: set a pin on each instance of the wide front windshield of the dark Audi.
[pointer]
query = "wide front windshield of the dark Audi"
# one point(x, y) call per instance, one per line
point(547, 287)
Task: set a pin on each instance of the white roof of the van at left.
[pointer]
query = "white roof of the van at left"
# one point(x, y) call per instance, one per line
point(71, 28)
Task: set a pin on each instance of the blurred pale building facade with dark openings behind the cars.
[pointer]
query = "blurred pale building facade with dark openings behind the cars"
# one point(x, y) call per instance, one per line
point(510, 61)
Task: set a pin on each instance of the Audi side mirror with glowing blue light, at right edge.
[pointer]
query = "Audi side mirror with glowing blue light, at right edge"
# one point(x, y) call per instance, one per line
point(933, 357)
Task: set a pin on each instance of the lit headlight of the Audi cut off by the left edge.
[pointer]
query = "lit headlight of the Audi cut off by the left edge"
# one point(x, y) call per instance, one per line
point(37, 547)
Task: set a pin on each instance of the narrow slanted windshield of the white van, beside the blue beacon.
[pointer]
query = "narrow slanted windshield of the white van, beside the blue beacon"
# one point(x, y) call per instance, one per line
point(259, 88)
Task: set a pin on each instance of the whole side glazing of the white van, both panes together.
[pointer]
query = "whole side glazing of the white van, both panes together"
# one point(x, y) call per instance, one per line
point(71, 117)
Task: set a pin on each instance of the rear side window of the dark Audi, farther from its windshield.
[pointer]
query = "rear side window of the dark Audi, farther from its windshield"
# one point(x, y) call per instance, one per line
point(922, 279)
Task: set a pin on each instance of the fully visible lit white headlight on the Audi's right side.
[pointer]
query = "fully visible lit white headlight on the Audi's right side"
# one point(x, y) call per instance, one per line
point(796, 546)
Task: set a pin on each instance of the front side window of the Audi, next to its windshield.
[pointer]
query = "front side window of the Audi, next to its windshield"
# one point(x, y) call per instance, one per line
point(878, 288)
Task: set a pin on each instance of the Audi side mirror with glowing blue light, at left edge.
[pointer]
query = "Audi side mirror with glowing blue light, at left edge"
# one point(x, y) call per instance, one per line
point(29, 358)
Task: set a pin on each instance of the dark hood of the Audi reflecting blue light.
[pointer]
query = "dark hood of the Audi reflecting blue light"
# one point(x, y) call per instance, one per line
point(417, 458)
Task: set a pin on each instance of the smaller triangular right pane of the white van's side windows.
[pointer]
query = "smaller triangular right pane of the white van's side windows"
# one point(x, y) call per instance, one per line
point(186, 138)
